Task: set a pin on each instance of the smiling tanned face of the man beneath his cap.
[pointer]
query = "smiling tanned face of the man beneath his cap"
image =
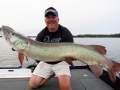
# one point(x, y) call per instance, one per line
point(51, 21)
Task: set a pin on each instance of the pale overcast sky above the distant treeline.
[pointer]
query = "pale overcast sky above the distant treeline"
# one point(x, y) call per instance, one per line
point(79, 16)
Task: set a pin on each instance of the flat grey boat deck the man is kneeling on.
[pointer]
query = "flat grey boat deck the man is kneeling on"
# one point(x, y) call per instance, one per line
point(81, 79)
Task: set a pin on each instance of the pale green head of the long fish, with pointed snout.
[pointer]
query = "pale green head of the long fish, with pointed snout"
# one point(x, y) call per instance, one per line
point(16, 40)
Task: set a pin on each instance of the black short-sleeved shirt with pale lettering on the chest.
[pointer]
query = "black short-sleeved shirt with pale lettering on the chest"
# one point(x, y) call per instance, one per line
point(61, 35)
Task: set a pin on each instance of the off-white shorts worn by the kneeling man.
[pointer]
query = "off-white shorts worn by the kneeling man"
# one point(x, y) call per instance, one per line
point(45, 70)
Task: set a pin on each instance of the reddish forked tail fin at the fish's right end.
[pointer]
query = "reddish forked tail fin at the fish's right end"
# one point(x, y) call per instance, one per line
point(113, 70)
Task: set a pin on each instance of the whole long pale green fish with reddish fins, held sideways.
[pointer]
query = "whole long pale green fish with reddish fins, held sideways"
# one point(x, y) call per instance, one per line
point(93, 55)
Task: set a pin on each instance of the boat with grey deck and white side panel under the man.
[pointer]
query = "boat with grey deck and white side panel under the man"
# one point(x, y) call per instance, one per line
point(81, 79)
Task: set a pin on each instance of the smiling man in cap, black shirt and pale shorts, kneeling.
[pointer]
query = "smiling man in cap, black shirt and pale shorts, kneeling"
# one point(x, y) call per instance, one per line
point(52, 33)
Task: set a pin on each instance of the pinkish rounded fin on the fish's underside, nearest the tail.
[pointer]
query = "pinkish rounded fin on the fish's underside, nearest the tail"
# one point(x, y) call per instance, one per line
point(96, 69)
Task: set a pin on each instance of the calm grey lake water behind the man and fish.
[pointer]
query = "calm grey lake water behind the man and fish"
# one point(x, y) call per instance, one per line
point(9, 57)
